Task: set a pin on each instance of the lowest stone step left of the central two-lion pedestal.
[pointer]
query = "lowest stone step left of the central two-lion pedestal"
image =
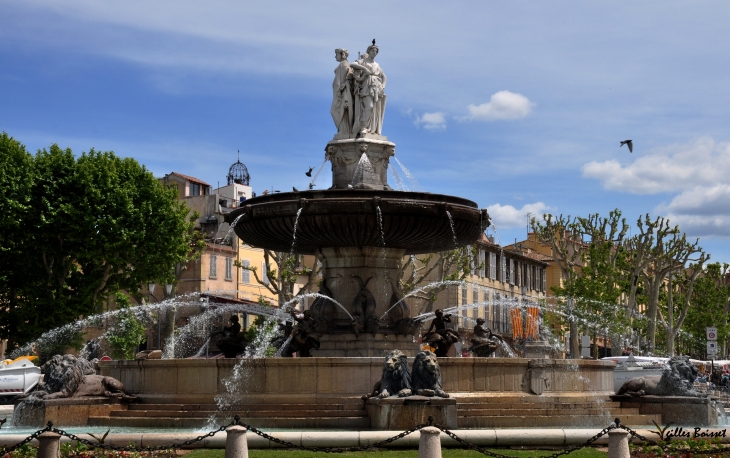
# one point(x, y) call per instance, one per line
point(341, 423)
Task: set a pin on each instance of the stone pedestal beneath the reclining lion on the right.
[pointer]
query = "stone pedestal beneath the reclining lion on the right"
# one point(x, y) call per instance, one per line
point(680, 410)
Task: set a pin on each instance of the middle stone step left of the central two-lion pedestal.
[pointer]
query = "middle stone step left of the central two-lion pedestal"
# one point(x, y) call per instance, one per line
point(241, 413)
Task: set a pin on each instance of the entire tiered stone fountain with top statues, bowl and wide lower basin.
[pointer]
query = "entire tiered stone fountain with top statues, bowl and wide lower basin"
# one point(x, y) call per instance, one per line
point(361, 230)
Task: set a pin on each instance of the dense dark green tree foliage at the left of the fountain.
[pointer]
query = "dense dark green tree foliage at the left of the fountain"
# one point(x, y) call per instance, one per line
point(76, 229)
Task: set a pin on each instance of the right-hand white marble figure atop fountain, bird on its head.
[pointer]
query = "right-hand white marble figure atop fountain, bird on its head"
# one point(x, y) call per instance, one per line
point(369, 93)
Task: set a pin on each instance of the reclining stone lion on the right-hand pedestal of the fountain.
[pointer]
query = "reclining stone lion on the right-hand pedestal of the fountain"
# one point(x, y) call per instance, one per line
point(676, 380)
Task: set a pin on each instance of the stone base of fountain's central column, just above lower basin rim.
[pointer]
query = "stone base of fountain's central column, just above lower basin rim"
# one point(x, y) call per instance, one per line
point(367, 345)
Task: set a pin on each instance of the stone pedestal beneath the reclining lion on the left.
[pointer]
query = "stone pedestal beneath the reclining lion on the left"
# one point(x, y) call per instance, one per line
point(64, 412)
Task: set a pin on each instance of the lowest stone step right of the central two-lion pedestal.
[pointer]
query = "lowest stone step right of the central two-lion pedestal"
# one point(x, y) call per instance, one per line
point(586, 421)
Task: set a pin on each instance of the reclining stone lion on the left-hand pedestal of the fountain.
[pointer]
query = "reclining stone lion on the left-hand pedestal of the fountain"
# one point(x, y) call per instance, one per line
point(67, 376)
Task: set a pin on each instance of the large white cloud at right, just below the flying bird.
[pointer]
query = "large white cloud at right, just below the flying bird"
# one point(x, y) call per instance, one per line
point(703, 162)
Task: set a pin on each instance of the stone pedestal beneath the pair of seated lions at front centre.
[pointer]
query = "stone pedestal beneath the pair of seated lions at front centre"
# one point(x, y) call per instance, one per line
point(396, 414)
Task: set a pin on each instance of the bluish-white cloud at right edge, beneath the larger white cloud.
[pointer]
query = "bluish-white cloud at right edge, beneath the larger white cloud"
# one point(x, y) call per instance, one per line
point(701, 211)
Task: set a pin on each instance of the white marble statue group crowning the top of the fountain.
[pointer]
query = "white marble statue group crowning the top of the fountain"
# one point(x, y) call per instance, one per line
point(358, 99)
